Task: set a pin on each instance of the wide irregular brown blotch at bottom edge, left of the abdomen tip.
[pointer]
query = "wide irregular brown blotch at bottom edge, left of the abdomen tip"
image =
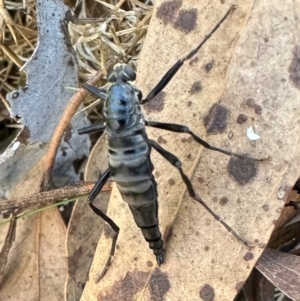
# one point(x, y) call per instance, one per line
point(126, 288)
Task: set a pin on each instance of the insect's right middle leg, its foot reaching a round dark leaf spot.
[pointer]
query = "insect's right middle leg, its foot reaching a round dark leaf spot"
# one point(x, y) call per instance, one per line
point(178, 128)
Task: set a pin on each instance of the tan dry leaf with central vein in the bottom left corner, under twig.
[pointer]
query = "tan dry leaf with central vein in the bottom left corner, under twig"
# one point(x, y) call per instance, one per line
point(37, 266)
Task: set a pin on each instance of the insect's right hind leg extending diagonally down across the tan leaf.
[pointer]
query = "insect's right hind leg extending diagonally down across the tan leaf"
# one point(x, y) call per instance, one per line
point(176, 163)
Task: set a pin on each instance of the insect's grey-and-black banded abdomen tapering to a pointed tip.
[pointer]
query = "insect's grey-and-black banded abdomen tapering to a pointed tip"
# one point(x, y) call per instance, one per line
point(131, 169)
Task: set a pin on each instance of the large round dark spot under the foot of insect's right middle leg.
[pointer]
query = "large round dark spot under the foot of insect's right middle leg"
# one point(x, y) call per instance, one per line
point(242, 170)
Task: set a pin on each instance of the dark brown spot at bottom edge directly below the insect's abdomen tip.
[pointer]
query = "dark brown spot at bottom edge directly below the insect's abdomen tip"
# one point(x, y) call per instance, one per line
point(159, 285)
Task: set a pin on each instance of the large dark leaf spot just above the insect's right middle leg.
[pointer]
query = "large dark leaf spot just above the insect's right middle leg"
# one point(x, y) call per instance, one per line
point(216, 120)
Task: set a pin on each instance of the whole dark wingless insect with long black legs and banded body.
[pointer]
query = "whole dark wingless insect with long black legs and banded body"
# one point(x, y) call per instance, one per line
point(129, 150)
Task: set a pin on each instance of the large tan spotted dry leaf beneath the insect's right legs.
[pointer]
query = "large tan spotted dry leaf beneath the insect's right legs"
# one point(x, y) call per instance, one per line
point(248, 73)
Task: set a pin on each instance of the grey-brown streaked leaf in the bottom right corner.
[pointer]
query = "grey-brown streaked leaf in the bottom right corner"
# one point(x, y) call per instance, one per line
point(282, 270)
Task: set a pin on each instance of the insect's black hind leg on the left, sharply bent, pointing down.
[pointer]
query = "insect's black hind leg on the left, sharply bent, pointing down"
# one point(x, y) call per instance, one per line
point(96, 189)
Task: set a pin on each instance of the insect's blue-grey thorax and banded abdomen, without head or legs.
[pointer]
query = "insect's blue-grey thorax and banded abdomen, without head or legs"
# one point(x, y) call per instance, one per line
point(129, 159)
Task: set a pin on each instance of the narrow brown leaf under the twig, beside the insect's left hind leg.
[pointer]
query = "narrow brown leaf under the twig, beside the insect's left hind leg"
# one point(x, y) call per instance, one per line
point(85, 227)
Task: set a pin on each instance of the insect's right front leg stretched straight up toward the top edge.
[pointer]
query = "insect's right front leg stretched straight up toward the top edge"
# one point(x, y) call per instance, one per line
point(173, 70)
